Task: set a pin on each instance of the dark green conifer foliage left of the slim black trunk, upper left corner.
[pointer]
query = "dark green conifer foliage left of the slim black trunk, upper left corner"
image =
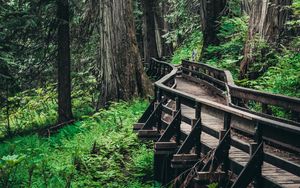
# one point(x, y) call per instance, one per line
point(26, 44)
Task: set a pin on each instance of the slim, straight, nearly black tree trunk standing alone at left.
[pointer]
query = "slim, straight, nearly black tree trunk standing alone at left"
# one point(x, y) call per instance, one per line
point(64, 62)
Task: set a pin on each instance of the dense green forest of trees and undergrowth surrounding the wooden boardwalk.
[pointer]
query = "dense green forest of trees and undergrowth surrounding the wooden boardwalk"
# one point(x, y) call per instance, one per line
point(103, 45)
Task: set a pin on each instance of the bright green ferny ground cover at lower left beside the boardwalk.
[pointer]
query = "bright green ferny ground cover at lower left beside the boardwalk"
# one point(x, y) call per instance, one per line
point(99, 151)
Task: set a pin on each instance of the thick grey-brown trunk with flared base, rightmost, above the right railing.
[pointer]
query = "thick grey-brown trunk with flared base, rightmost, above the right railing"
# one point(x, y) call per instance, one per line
point(267, 22)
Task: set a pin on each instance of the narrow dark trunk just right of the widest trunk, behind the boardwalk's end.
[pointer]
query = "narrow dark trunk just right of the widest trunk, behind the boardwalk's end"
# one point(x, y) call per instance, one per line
point(150, 46)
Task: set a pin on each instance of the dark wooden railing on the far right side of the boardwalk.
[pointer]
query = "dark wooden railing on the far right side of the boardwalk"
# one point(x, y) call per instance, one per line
point(239, 97)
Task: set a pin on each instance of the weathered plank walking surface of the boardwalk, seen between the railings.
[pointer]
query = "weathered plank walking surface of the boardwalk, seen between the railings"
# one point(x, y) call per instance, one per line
point(215, 122)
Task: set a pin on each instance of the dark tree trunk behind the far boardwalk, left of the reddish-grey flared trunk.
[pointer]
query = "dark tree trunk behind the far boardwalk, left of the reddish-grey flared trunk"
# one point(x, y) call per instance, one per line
point(210, 12)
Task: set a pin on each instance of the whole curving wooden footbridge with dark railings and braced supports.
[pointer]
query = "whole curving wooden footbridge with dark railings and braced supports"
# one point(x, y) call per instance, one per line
point(205, 131)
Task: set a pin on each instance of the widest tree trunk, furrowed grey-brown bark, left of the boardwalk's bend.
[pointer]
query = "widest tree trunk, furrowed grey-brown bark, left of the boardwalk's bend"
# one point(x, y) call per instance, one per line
point(120, 70)
